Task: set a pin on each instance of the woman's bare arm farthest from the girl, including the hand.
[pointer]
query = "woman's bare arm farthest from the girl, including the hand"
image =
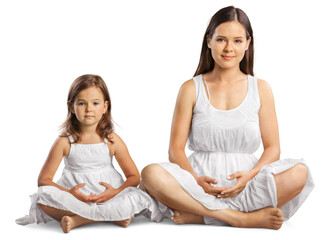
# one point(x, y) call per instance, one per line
point(270, 138)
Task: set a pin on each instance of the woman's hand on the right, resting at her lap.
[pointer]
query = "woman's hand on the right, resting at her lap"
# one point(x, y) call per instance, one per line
point(242, 179)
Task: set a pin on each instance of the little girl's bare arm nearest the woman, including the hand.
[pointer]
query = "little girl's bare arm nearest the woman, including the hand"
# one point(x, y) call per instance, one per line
point(120, 151)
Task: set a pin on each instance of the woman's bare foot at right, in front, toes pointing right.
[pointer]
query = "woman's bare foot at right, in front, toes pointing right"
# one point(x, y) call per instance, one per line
point(264, 218)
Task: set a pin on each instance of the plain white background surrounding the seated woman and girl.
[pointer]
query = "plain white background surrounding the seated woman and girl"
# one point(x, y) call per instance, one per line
point(145, 50)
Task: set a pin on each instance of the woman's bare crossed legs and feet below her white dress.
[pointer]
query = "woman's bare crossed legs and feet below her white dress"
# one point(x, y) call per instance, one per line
point(161, 185)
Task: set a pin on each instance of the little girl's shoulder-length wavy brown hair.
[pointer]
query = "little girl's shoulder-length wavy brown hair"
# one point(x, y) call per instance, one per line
point(71, 124)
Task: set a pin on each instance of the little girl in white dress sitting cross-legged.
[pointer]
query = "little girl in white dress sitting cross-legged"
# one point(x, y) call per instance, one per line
point(90, 189)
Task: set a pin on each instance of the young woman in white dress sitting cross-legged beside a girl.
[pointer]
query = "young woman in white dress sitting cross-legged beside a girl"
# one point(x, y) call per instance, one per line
point(224, 112)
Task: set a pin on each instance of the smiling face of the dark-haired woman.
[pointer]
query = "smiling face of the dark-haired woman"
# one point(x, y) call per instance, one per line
point(228, 44)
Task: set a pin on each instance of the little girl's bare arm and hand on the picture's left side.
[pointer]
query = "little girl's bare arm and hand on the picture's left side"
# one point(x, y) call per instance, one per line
point(59, 149)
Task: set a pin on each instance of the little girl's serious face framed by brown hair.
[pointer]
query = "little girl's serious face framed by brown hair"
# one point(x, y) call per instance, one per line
point(89, 106)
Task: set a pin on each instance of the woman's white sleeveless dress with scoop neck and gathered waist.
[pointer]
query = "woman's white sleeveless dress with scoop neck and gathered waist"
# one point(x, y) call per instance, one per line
point(223, 142)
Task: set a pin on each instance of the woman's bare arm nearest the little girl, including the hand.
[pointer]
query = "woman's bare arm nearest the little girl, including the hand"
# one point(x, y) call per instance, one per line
point(181, 124)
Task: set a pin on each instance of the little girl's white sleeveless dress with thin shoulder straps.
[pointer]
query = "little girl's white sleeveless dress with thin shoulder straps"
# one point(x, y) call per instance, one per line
point(91, 164)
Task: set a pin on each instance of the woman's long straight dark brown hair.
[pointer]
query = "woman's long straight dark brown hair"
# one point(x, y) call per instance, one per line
point(227, 14)
